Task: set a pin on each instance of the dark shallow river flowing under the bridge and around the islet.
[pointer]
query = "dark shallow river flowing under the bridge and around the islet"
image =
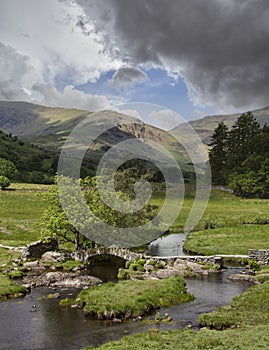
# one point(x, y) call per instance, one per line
point(50, 327)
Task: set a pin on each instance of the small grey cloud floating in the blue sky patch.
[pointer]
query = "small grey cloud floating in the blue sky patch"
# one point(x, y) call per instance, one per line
point(126, 77)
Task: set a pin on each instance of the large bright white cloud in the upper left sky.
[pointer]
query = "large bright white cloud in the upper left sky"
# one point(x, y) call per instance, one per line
point(46, 44)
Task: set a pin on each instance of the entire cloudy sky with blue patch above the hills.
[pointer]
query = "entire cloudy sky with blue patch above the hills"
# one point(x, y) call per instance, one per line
point(193, 57)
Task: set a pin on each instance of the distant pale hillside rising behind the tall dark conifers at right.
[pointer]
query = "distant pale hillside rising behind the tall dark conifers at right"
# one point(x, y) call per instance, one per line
point(205, 127)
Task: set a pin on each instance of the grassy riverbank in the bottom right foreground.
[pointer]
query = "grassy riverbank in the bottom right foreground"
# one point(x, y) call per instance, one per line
point(247, 319)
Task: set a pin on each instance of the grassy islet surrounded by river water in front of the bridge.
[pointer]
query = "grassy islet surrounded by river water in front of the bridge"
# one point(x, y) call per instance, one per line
point(132, 298)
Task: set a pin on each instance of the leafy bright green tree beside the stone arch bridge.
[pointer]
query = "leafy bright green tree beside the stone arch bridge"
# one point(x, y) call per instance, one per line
point(55, 223)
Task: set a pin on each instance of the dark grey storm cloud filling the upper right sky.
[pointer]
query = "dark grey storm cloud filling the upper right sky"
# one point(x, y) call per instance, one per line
point(219, 47)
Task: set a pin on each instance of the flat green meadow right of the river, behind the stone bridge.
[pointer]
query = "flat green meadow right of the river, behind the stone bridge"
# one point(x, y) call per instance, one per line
point(230, 225)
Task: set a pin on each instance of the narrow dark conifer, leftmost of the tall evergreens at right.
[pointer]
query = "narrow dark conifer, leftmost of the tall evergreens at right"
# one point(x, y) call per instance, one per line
point(218, 153)
